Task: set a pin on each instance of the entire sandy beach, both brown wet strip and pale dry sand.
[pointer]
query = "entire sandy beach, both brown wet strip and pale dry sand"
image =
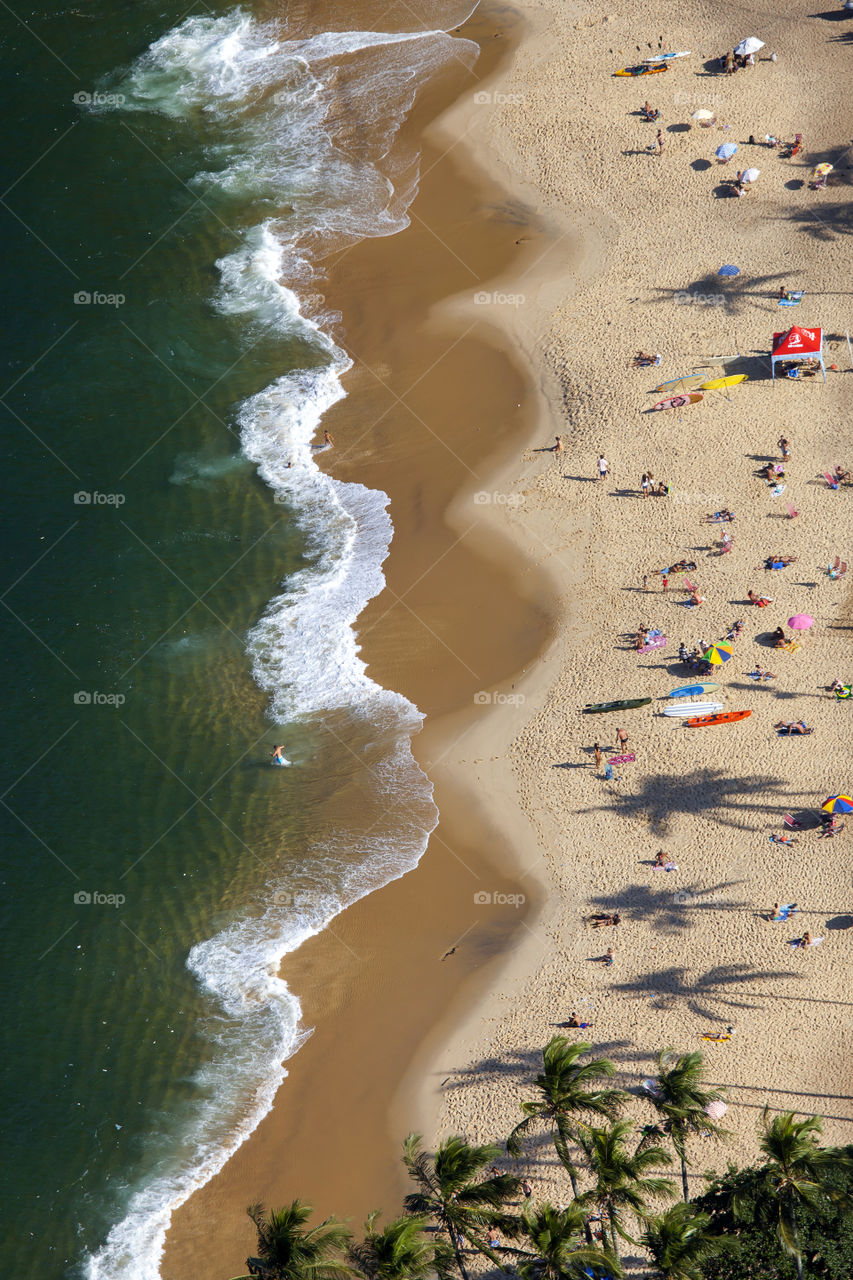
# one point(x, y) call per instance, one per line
point(571, 248)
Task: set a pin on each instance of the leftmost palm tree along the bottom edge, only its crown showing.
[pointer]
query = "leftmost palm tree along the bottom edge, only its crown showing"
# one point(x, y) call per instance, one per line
point(288, 1251)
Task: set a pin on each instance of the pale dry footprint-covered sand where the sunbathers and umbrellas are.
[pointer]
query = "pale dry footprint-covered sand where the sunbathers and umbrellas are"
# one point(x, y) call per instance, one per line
point(694, 953)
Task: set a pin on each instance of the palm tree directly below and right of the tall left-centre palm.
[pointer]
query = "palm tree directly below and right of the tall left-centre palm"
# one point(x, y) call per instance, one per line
point(622, 1181)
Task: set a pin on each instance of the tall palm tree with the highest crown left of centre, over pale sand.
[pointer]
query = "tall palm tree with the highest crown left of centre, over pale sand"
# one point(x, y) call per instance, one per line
point(567, 1095)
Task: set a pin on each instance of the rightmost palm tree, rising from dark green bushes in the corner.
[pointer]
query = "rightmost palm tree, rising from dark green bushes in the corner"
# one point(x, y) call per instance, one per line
point(797, 1171)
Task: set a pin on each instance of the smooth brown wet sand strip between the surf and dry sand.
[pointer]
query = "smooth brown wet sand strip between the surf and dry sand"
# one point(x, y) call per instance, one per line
point(435, 409)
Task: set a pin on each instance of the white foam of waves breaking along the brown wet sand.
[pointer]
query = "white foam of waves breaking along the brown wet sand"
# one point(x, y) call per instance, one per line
point(284, 135)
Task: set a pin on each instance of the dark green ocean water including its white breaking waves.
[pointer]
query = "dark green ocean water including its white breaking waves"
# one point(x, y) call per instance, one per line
point(184, 586)
